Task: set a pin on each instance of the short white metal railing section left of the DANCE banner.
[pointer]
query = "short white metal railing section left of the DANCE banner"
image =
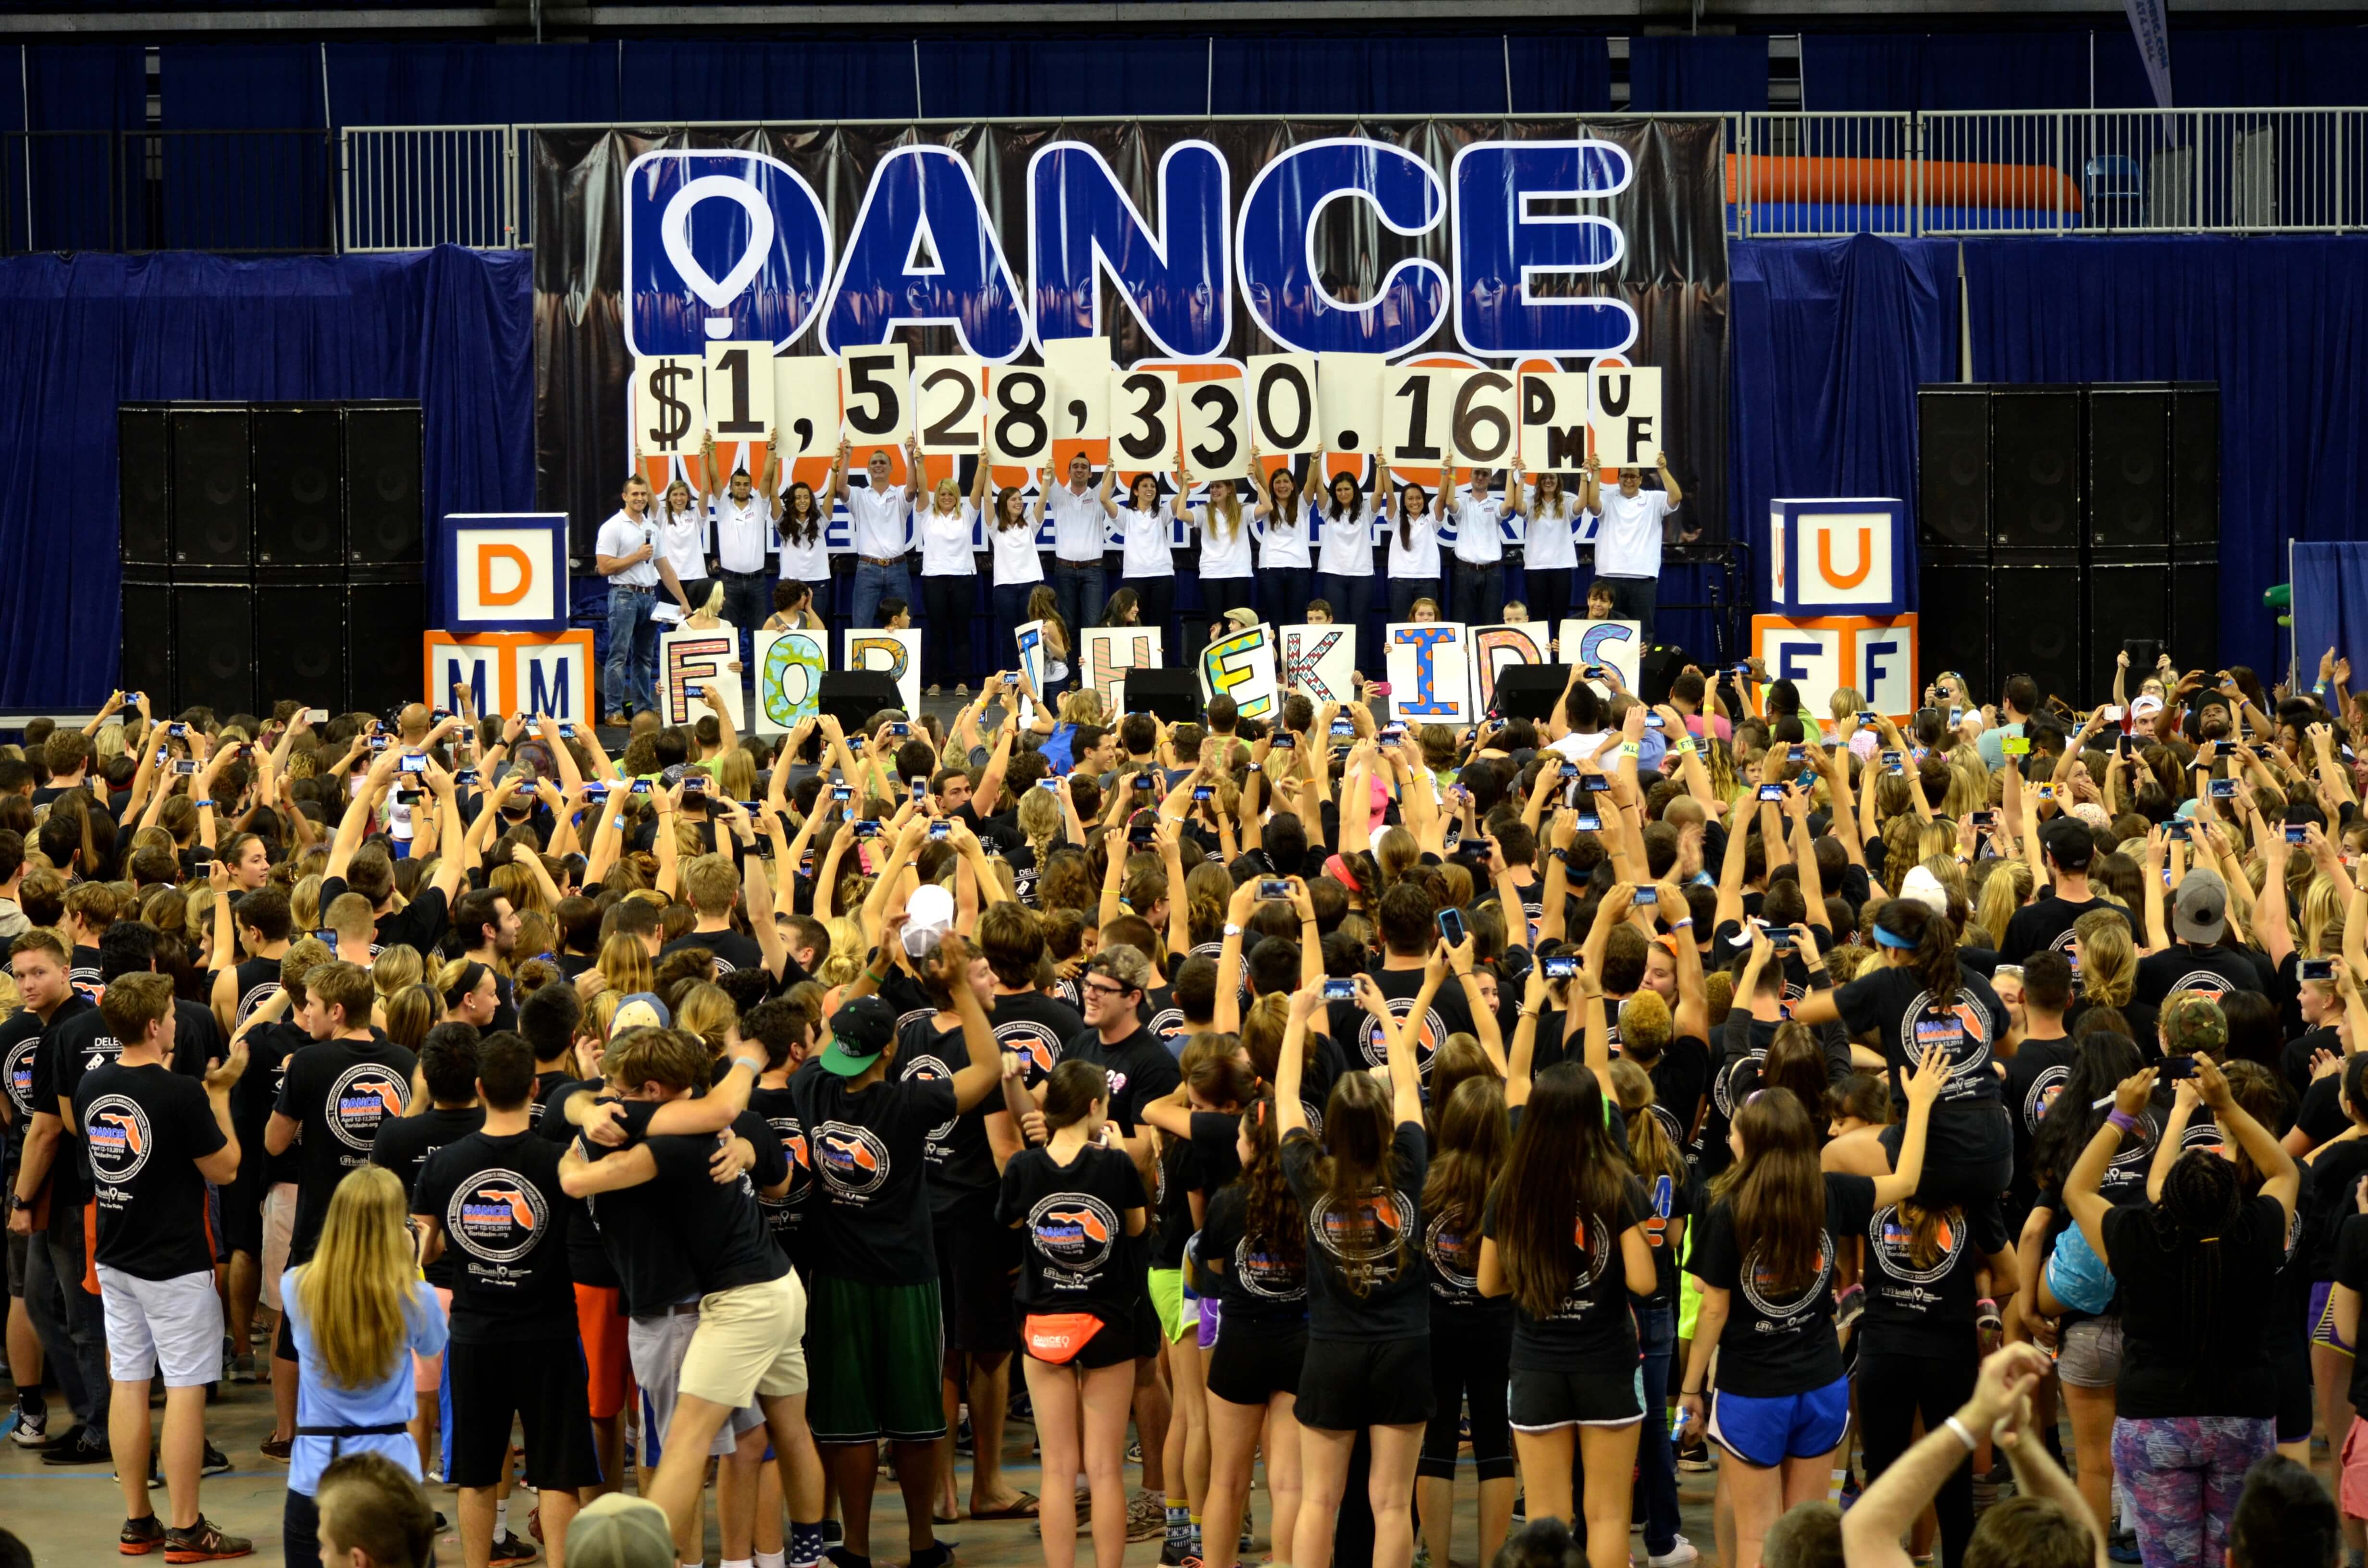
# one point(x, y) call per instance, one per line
point(408, 188)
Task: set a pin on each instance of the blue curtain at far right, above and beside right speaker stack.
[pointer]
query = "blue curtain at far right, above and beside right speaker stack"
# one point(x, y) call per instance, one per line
point(2282, 323)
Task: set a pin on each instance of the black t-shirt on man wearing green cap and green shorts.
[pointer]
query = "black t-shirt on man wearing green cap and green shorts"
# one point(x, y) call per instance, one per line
point(870, 1152)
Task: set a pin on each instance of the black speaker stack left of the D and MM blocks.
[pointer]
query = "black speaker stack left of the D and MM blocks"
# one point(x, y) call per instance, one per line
point(271, 551)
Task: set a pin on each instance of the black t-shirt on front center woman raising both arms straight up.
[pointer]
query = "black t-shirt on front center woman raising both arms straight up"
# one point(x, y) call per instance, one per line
point(1365, 1280)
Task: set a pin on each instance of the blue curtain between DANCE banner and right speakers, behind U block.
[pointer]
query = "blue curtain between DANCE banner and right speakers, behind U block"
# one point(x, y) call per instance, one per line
point(1827, 347)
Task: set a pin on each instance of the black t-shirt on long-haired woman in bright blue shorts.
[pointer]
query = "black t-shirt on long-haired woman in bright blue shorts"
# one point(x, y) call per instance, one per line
point(1780, 1342)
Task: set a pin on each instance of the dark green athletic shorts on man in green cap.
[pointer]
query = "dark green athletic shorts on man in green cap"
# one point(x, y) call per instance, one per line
point(875, 1361)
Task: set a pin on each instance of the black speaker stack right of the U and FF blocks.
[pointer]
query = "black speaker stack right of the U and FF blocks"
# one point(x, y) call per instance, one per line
point(2061, 522)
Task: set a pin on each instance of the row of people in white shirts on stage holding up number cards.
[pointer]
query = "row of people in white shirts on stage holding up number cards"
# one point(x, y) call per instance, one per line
point(1285, 546)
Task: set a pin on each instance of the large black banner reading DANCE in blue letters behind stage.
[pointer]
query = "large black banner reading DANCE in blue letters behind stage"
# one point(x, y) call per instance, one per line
point(953, 271)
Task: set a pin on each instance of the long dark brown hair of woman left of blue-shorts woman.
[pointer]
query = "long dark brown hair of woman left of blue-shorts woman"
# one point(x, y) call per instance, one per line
point(1562, 1183)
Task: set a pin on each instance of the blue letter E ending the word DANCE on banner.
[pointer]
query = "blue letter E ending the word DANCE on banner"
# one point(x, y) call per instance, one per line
point(1507, 238)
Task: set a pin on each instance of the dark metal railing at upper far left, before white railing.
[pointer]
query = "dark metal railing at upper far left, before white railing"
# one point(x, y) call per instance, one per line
point(245, 193)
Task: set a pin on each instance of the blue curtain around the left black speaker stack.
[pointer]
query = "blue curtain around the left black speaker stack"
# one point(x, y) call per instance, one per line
point(89, 333)
